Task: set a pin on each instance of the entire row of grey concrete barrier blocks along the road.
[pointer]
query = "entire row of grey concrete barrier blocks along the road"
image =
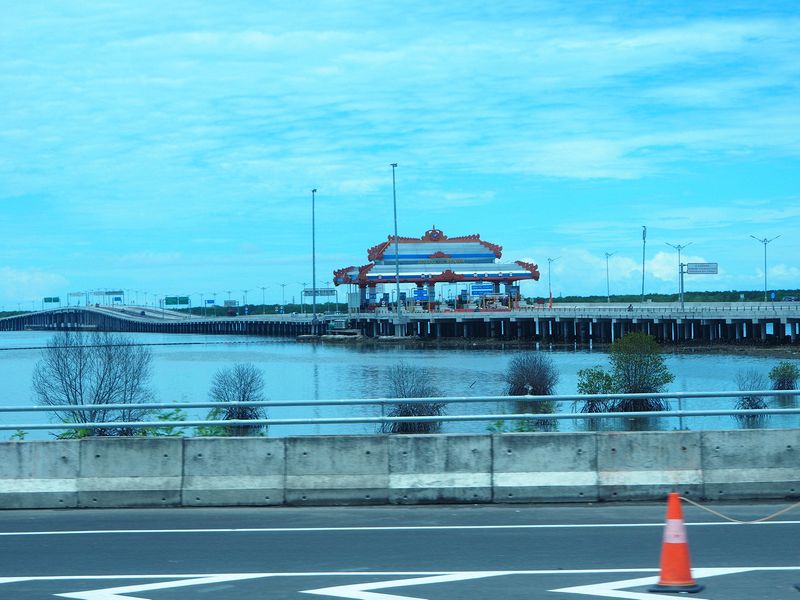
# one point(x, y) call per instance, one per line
point(380, 469)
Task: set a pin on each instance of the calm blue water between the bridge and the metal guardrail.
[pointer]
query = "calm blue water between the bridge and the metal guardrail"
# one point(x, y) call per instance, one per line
point(183, 366)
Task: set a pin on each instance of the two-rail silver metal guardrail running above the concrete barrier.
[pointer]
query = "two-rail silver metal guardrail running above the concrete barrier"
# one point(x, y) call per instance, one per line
point(382, 402)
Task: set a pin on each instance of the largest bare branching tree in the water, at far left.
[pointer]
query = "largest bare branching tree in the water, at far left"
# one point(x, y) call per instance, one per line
point(102, 368)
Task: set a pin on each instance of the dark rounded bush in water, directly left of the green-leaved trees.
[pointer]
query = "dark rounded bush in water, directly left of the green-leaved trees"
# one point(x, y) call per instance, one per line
point(533, 374)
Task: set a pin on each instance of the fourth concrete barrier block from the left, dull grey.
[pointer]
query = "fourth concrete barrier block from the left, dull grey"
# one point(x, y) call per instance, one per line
point(337, 470)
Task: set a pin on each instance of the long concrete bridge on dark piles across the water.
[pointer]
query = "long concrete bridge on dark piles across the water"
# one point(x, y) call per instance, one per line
point(777, 323)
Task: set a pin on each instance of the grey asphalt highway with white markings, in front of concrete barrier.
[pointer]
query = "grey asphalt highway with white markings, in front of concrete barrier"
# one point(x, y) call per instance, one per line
point(389, 553)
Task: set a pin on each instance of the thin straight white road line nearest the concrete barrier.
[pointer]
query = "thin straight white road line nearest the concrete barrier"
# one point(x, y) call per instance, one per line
point(379, 528)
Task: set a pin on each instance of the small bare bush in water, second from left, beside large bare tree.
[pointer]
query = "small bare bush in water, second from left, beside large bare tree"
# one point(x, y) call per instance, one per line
point(243, 382)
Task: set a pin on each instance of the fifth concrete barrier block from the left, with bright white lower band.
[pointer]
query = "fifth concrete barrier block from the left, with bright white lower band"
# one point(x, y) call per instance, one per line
point(440, 468)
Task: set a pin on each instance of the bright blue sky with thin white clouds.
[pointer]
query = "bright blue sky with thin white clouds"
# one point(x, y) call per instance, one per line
point(171, 147)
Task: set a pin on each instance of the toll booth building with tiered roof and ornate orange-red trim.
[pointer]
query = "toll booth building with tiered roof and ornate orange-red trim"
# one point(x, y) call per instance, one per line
point(436, 258)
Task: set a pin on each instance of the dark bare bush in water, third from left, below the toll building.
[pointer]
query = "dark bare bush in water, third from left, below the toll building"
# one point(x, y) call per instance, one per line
point(411, 382)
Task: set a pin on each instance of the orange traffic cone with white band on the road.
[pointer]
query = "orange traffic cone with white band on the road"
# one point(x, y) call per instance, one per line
point(676, 574)
